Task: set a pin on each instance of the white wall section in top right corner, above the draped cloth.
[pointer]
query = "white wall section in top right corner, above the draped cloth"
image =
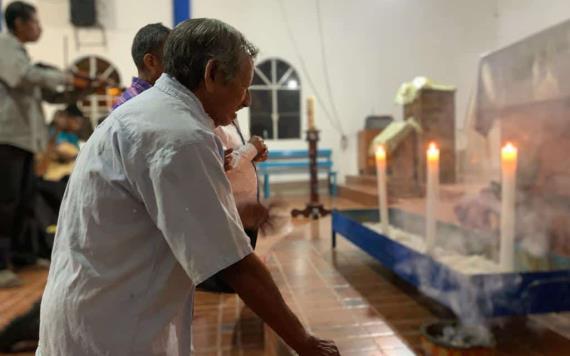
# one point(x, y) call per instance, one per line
point(518, 19)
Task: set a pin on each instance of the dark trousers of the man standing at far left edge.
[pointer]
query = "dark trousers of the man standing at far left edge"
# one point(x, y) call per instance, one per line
point(17, 194)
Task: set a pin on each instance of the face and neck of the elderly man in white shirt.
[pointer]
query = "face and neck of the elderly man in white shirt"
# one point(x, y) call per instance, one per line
point(226, 98)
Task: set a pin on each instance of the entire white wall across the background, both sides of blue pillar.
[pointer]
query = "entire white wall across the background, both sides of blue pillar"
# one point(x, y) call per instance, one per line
point(372, 46)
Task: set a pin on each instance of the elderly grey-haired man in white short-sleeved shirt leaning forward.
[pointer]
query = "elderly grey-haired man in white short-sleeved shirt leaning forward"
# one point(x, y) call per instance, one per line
point(148, 214)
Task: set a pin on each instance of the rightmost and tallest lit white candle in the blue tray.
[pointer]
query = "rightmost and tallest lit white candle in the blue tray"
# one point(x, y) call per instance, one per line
point(508, 189)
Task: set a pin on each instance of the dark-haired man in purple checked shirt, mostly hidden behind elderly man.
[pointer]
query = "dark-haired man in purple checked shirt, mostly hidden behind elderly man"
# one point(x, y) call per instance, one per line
point(147, 54)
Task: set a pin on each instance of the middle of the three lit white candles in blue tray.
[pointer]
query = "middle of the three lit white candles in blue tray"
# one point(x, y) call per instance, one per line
point(432, 195)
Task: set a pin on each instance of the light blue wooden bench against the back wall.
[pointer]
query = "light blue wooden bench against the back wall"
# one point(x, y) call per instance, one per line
point(295, 161)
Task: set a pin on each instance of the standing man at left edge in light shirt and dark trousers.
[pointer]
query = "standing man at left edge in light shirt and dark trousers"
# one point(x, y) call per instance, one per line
point(23, 131)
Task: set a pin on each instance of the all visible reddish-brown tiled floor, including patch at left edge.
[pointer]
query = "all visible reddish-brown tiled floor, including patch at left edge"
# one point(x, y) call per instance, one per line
point(341, 294)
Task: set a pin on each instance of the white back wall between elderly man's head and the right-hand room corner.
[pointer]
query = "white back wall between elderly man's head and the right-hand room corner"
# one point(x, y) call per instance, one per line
point(372, 46)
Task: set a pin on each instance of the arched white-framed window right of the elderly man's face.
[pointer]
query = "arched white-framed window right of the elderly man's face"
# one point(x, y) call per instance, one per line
point(275, 111)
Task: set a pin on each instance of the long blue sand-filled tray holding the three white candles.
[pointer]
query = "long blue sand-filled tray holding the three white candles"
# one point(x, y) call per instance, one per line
point(486, 295)
